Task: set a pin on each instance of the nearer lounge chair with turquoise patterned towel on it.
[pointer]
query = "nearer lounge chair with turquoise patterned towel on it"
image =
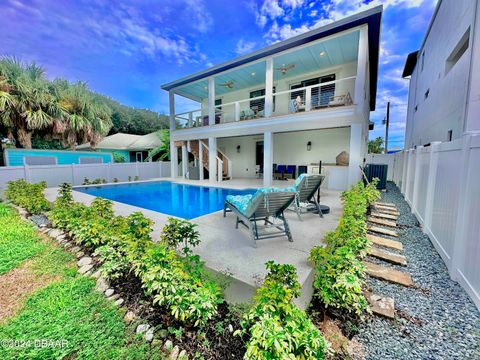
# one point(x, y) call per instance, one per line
point(265, 203)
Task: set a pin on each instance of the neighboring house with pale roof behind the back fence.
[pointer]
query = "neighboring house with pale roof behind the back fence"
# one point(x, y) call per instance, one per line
point(133, 148)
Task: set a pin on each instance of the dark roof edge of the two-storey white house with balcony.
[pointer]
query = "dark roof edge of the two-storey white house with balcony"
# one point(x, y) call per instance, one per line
point(371, 17)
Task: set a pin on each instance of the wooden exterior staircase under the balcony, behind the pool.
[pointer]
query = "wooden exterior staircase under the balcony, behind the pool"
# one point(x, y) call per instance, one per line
point(200, 150)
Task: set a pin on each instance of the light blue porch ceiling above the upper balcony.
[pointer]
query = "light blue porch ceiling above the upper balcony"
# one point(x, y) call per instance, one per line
point(315, 57)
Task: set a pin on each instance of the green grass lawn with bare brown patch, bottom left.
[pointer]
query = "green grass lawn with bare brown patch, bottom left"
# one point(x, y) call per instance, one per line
point(76, 321)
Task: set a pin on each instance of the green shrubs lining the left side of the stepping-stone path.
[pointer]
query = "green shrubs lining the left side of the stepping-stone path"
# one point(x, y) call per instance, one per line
point(339, 282)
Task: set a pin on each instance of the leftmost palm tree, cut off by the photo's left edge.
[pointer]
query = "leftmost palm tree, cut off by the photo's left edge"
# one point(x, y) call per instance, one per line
point(26, 102)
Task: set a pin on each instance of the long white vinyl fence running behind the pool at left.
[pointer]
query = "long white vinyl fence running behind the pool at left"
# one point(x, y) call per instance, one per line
point(75, 174)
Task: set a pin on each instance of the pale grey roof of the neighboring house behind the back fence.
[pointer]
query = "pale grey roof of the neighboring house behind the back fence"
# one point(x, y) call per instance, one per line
point(121, 141)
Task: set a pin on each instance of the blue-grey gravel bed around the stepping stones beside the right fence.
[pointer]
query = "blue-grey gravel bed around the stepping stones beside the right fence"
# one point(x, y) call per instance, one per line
point(435, 319)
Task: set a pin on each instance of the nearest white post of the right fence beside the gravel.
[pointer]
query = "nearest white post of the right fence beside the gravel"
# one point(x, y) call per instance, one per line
point(462, 218)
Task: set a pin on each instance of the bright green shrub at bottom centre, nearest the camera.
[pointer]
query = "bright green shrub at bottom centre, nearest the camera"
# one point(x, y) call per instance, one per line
point(276, 327)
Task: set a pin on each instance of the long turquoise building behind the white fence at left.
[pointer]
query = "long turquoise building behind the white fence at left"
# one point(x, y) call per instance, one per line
point(20, 157)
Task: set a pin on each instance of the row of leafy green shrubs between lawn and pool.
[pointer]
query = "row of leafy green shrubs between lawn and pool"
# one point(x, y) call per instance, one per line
point(124, 244)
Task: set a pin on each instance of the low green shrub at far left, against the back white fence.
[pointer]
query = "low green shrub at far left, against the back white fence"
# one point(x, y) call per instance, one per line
point(29, 196)
